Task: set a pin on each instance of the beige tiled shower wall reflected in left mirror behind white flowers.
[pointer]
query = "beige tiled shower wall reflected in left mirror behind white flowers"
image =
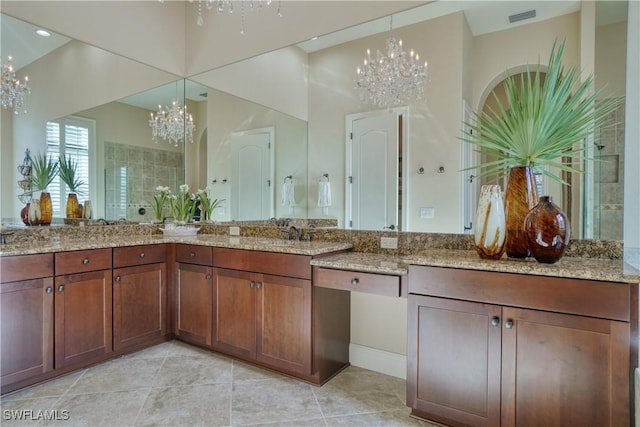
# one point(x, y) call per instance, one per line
point(132, 175)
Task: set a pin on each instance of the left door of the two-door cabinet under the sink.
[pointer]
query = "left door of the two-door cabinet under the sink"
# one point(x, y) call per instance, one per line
point(235, 313)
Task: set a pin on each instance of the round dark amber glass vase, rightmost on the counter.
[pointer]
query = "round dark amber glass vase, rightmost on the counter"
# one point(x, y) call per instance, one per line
point(548, 231)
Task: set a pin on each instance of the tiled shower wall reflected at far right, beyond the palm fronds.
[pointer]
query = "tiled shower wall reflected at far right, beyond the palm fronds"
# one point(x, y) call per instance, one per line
point(609, 178)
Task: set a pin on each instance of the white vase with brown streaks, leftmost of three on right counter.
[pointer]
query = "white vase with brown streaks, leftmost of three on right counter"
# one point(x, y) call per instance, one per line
point(490, 226)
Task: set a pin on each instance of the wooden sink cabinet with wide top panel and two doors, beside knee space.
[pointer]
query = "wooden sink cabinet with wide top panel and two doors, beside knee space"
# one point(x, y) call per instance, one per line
point(261, 313)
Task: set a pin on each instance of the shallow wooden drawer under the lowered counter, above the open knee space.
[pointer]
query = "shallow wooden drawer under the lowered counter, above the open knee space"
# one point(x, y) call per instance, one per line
point(380, 284)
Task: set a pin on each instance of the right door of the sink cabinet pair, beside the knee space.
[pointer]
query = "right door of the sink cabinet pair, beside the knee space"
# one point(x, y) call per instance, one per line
point(284, 323)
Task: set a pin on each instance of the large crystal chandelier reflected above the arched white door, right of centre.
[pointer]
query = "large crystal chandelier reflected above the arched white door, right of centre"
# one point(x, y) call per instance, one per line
point(393, 78)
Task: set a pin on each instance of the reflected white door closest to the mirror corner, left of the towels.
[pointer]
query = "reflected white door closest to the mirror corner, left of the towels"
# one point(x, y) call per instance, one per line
point(251, 176)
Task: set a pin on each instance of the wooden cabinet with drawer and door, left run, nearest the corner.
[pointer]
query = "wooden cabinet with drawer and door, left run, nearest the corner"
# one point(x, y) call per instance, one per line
point(139, 295)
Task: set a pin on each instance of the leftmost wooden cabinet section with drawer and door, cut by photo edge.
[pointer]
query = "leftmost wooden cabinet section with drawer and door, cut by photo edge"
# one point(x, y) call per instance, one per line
point(26, 317)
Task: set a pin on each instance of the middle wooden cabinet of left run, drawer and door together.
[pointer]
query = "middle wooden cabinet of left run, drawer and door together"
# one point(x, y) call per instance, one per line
point(83, 306)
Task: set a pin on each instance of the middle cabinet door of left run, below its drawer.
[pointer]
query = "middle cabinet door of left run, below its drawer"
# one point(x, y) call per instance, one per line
point(83, 317)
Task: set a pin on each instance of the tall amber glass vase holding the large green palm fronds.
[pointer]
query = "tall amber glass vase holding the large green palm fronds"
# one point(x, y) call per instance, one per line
point(521, 196)
